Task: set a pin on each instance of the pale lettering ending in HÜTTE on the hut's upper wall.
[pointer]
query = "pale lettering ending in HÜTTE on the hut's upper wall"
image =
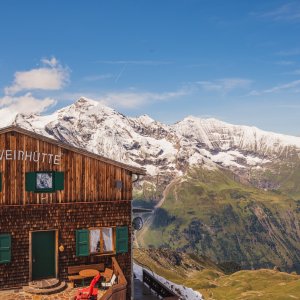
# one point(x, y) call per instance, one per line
point(30, 156)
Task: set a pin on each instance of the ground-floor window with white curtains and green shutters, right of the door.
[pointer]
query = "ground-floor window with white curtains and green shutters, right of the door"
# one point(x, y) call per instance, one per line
point(103, 240)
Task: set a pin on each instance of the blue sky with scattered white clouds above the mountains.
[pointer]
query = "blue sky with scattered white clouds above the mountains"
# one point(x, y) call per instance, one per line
point(238, 61)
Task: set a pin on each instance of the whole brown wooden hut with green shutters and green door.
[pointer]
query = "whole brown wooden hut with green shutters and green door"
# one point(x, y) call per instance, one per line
point(60, 206)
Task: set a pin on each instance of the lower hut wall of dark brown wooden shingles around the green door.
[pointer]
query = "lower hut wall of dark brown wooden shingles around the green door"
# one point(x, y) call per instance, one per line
point(66, 218)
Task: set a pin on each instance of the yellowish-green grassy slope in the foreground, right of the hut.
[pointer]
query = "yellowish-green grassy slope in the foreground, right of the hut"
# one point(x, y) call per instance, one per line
point(204, 276)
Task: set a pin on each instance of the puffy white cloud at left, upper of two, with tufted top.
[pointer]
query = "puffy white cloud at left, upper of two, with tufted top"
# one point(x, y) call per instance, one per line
point(52, 76)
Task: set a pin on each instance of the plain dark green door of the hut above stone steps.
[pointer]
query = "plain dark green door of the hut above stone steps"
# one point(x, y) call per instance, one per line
point(43, 254)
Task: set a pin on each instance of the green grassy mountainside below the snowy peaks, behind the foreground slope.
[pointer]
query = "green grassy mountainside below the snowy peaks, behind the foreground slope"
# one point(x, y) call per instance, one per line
point(211, 214)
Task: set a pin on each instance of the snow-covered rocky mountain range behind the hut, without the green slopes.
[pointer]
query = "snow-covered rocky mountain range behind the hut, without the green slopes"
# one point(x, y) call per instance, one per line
point(161, 148)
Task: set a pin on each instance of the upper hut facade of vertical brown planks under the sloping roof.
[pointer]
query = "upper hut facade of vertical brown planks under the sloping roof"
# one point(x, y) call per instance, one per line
point(88, 177)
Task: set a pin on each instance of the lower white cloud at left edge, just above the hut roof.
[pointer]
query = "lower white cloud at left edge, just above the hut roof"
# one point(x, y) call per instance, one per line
point(10, 106)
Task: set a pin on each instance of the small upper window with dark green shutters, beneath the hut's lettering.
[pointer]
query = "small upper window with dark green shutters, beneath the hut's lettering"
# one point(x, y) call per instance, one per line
point(44, 182)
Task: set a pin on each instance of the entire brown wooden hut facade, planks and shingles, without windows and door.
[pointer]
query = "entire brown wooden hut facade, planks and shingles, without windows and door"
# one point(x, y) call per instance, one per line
point(96, 192)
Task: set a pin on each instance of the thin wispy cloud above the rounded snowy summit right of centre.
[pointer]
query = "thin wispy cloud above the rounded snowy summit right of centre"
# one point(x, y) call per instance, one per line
point(225, 85)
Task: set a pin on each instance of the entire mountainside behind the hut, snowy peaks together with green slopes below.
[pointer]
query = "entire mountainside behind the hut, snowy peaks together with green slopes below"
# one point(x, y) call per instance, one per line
point(227, 192)
